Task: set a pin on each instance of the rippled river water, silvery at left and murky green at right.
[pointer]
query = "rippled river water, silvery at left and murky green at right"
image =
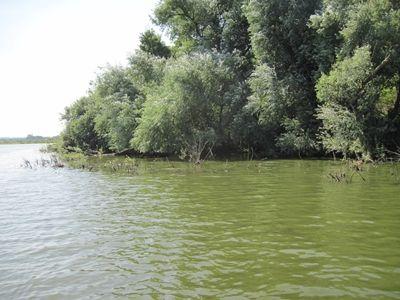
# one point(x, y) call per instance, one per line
point(243, 230)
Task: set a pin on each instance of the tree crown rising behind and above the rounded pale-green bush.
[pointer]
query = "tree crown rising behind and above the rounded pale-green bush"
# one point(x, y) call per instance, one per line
point(214, 25)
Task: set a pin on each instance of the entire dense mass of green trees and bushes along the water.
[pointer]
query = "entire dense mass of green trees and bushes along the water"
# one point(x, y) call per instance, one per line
point(273, 77)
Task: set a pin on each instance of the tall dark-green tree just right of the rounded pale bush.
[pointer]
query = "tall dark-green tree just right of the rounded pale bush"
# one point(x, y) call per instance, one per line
point(284, 79)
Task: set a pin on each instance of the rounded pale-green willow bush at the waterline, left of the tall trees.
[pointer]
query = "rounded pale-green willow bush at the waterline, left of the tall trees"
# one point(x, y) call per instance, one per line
point(192, 109)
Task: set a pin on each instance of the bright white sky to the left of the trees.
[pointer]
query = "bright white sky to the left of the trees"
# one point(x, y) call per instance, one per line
point(51, 50)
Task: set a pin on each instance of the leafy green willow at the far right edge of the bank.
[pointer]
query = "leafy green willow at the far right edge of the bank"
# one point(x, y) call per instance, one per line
point(365, 79)
